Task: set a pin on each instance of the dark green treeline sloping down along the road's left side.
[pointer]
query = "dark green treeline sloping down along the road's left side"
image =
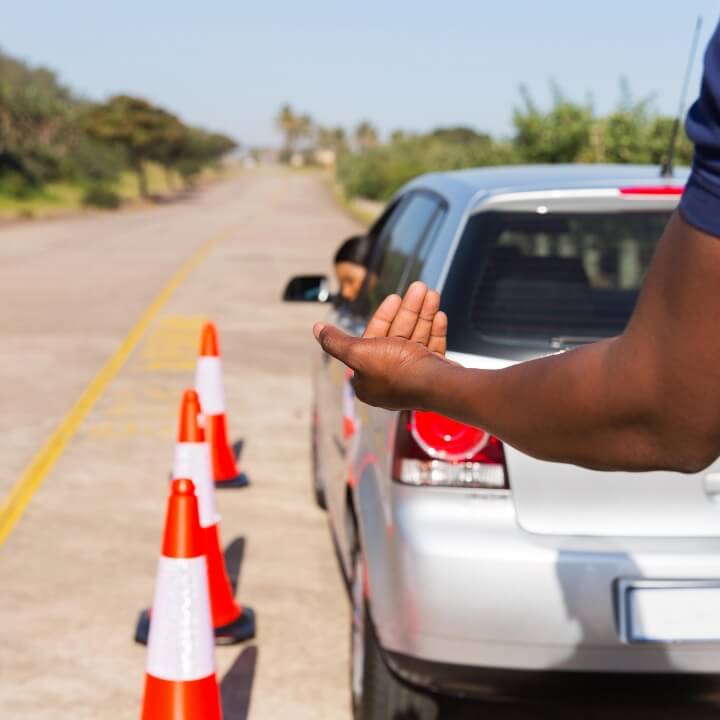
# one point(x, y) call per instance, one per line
point(49, 134)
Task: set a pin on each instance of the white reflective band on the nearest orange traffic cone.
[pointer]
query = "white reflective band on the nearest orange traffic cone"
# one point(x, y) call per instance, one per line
point(181, 643)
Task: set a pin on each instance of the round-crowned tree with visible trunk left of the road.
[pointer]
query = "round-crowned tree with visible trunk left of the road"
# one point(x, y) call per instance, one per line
point(141, 129)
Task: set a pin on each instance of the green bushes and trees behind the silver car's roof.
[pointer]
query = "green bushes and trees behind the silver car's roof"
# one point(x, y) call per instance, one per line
point(566, 132)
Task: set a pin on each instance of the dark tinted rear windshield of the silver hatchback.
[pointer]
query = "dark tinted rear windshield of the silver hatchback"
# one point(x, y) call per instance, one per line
point(530, 281)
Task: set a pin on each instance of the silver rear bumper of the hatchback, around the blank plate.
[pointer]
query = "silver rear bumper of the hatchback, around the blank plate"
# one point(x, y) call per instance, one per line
point(454, 581)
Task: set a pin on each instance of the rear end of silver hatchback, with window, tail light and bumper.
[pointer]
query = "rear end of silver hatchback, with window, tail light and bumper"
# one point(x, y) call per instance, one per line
point(491, 559)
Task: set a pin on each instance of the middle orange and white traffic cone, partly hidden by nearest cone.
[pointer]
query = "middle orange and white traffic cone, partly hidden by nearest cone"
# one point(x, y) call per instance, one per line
point(231, 622)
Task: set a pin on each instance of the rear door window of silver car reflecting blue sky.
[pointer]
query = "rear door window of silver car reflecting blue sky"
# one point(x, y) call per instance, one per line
point(399, 243)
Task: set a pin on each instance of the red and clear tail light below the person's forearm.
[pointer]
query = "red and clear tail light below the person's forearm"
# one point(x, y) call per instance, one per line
point(431, 449)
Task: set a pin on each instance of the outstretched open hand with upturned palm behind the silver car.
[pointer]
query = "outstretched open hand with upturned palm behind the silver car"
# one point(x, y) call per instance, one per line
point(398, 360)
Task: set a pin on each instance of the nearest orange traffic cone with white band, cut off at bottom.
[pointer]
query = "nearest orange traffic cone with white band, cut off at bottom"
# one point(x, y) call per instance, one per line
point(180, 682)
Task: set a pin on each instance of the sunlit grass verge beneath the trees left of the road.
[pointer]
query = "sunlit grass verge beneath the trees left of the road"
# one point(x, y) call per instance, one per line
point(60, 198)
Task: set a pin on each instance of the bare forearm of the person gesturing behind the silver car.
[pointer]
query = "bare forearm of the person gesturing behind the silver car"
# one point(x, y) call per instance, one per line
point(592, 406)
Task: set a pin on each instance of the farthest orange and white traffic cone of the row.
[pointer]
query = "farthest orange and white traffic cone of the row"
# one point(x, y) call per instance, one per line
point(209, 384)
